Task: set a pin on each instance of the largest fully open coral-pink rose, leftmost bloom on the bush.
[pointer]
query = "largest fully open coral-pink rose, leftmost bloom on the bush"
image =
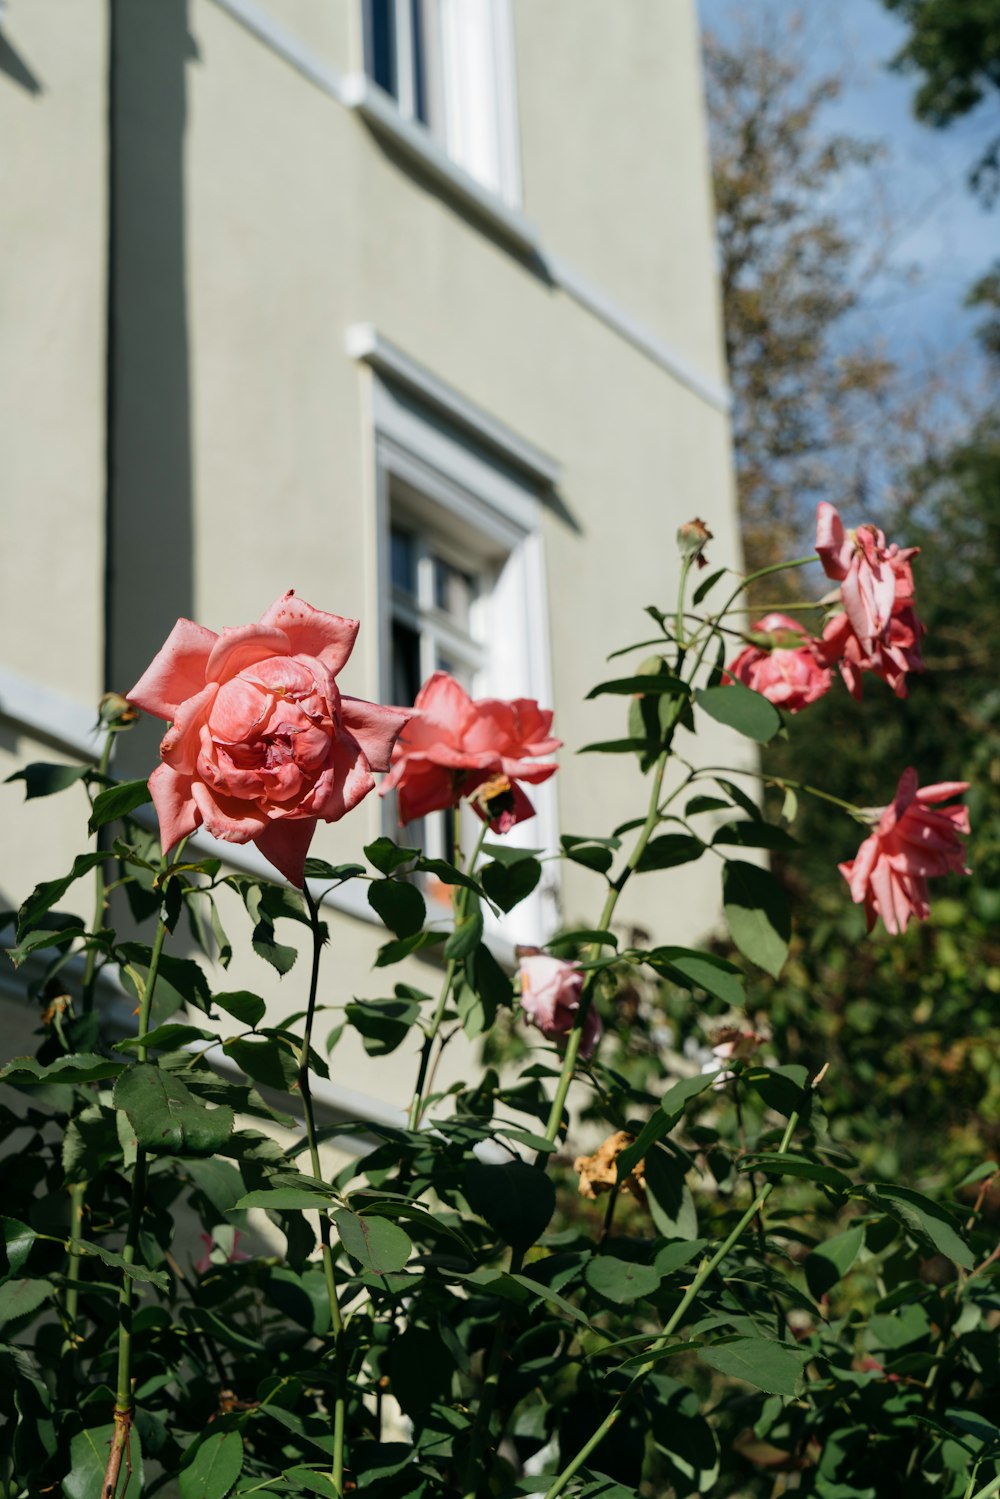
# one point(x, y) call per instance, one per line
point(262, 744)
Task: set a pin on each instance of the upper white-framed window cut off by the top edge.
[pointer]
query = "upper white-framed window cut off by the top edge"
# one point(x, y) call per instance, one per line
point(451, 67)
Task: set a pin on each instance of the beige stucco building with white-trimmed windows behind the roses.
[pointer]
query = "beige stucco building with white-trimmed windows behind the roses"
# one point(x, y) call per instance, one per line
point(407, 305)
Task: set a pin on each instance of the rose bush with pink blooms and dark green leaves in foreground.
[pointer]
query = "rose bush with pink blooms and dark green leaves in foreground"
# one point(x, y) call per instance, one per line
point(717, 1294)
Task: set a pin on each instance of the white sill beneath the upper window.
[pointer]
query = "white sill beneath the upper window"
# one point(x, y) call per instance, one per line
point(380, 113)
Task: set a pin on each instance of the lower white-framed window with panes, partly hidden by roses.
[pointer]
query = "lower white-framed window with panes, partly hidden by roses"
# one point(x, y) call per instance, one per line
point(464, 590)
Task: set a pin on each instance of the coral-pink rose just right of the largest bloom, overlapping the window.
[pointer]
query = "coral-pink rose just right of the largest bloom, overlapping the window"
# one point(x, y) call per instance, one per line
point(460, 747)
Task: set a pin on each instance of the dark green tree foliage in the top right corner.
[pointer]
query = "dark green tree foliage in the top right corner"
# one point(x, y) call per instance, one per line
point(956, 47)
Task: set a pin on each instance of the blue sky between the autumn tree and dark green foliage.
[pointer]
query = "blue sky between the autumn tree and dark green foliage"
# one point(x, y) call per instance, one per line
point(942, 235)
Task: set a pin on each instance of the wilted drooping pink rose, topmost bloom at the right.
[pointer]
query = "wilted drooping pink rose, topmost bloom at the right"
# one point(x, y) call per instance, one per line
point(872, 575)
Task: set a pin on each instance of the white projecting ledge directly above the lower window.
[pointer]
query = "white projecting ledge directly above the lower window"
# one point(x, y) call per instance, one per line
point(368, 346)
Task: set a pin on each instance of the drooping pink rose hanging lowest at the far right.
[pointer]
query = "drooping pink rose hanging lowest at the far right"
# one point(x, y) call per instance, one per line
point(915, 840)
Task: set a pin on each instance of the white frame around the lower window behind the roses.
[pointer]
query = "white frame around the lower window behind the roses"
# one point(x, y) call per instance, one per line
point(487, 509)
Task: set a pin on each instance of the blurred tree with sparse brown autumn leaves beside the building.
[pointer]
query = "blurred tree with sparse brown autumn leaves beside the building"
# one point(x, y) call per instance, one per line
point(816, 405)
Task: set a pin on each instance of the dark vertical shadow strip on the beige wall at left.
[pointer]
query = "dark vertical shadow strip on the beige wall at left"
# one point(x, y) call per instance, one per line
point(151, 521)
